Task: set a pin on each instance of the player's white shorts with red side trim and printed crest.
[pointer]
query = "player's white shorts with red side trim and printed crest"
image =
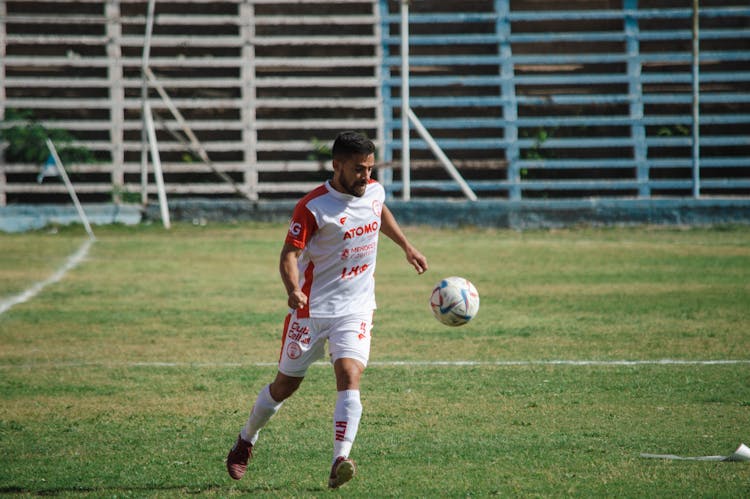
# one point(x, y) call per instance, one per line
point(304, 340)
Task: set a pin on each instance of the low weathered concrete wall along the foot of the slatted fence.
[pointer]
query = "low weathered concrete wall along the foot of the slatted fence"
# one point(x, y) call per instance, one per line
point(520, 215)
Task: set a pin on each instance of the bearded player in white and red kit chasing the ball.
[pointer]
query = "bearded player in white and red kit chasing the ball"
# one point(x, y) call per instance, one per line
point(327, 265)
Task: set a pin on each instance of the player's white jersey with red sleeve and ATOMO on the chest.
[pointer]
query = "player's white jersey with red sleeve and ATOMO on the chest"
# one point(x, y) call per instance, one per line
point(338, 235)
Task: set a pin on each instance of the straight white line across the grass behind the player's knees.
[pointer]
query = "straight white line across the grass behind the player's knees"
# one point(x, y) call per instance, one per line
point(395, 363)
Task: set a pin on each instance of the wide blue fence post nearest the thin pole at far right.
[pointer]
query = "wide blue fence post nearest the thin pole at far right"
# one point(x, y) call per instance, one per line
point(635, 96)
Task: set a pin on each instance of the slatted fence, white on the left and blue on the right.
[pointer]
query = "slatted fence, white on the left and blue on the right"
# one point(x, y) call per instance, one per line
point(529, 99)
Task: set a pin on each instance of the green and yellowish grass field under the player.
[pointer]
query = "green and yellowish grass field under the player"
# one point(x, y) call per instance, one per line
point(132, 375)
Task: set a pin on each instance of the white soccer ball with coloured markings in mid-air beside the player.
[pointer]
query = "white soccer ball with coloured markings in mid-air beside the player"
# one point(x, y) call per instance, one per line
point(454, 301)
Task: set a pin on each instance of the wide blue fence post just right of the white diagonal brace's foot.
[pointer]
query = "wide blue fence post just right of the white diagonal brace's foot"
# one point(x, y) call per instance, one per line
point(507, 86)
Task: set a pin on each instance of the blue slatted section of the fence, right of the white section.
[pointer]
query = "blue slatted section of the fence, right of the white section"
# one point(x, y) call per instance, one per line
point(495, 90)
